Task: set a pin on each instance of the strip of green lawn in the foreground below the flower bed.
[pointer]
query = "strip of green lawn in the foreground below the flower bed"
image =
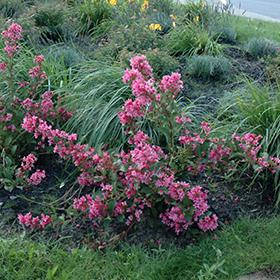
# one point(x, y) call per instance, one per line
point(246, 246)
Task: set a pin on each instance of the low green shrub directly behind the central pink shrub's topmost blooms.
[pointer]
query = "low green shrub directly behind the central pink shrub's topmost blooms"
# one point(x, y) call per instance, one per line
point(161, 62)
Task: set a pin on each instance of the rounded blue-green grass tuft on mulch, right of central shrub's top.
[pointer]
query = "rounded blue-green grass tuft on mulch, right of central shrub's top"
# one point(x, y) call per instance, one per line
point(207, 66)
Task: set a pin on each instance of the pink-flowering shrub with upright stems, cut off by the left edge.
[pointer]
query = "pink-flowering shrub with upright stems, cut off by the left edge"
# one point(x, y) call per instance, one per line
point(22, 99)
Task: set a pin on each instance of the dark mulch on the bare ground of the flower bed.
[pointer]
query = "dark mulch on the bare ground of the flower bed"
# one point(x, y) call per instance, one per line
point(229, 199)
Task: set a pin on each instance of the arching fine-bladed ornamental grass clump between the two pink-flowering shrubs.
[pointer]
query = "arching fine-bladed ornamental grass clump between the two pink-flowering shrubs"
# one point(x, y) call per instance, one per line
point(97, 94)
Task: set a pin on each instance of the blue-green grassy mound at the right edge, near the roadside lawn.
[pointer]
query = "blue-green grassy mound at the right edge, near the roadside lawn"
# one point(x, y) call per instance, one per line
point(262, 47)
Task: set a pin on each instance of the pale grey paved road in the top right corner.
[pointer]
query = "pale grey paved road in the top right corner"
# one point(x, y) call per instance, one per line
point(269, 8)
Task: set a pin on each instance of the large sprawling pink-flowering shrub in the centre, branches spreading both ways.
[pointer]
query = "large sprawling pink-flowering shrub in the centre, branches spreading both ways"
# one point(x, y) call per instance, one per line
point(148, 180)
